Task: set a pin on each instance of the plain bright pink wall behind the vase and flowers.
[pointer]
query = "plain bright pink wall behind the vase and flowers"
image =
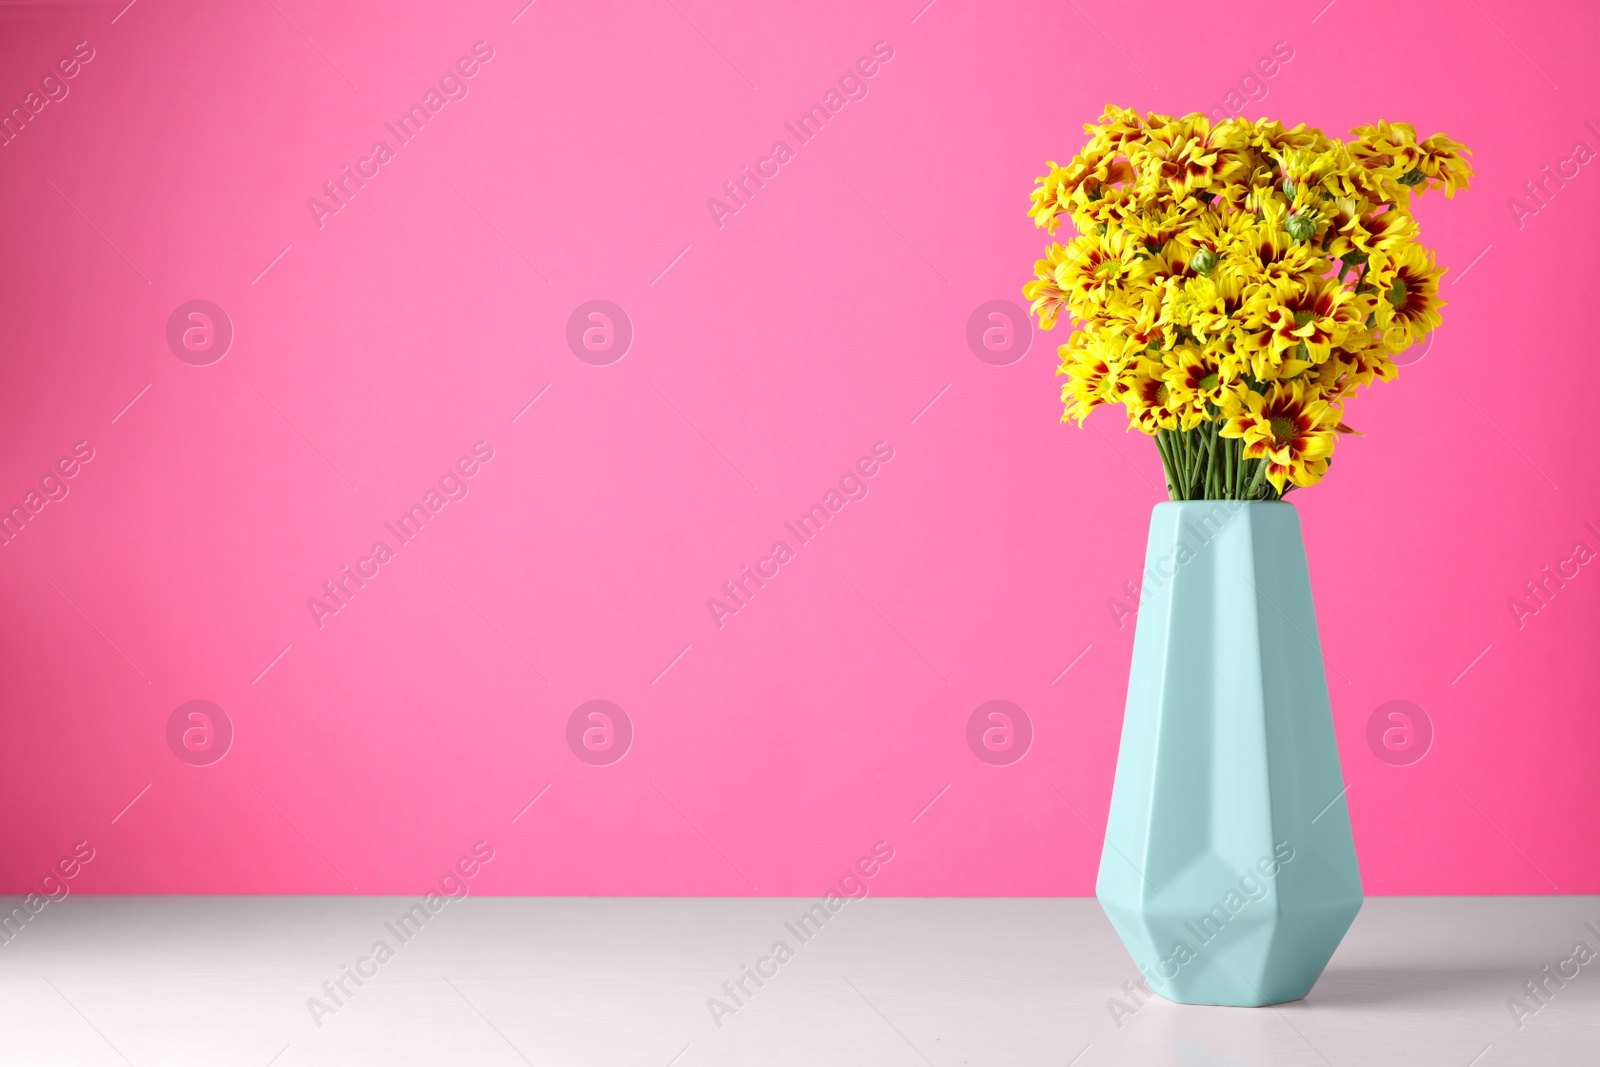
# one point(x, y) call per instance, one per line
point(772, 350)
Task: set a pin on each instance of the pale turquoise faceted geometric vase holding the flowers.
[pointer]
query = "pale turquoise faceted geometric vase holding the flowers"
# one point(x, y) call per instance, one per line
point(1230, 871)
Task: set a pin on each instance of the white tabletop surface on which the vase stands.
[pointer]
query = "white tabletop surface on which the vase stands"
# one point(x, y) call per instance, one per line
point(1014, 983)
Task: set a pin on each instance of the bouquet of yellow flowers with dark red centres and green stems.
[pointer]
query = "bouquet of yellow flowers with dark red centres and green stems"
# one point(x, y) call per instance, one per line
point(1234, 284)
